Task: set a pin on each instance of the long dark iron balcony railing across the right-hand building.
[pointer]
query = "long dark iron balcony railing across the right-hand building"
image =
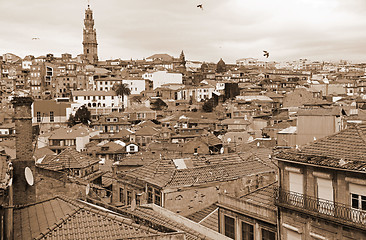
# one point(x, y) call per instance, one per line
point(336, 212)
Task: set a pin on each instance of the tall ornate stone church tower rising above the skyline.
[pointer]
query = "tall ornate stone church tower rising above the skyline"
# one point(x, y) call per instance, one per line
point(90, 38)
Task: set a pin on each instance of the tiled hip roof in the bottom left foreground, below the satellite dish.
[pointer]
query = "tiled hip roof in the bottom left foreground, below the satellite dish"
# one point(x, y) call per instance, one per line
point(61, 218)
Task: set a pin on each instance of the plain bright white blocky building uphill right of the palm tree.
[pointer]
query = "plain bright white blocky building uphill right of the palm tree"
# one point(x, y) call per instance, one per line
point(163, 77)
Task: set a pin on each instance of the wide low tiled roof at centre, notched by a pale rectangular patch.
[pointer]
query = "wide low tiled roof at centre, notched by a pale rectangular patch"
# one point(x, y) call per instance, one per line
point(163, 172)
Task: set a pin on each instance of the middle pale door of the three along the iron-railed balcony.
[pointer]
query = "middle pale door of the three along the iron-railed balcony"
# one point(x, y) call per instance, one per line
point(325, 196)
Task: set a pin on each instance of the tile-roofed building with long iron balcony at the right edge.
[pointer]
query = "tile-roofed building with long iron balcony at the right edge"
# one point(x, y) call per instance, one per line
point(322, 193)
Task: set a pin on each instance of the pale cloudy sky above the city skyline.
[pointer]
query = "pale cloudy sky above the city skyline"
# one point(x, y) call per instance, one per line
point(318, 30)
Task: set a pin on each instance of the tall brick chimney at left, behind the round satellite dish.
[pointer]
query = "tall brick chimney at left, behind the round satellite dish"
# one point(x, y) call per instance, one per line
point(23, 192)
